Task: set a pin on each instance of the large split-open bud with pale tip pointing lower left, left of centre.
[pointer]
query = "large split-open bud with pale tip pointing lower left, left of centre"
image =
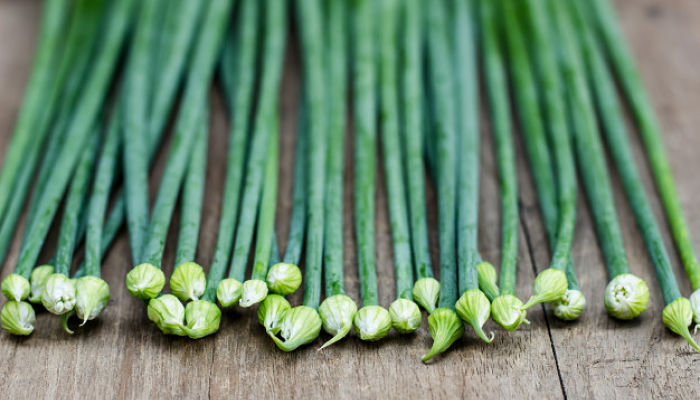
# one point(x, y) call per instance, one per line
point(300, 325)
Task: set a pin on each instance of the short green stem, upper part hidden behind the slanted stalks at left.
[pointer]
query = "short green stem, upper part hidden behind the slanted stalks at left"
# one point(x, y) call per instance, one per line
point(193, 196)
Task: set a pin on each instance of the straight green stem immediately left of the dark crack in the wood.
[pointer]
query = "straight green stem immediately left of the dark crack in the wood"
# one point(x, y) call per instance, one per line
point(497, 89)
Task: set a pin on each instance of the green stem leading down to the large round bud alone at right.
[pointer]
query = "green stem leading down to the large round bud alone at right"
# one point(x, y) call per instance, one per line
point(588, 146)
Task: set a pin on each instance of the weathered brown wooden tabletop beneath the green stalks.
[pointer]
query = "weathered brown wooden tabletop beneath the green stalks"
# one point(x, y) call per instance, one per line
point(123, 355)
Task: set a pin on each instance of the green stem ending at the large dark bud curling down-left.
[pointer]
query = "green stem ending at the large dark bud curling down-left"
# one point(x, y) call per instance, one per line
point(445, 138)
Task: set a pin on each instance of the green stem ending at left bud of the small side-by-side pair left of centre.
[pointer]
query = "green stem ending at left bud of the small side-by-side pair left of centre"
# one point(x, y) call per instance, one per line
point(273, 50)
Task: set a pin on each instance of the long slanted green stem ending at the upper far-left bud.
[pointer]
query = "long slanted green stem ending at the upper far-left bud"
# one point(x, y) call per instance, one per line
point(86, 113)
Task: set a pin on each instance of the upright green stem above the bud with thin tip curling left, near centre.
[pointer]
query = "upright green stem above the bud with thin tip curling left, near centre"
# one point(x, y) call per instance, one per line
point(336, 56)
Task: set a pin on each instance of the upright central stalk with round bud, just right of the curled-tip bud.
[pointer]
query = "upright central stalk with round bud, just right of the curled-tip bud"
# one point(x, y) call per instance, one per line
point(372, 322)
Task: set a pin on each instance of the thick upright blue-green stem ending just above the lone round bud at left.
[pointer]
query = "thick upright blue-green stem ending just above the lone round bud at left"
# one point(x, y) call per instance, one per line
point(135, 126)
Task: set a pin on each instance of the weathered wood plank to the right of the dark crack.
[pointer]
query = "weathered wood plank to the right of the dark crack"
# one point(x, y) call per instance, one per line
point(598, 356)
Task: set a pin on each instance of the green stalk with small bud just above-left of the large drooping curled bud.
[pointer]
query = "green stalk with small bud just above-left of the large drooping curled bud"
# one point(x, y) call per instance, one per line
point(426, 289)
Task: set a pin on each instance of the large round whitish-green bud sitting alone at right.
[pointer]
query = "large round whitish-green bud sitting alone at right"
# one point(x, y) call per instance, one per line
point(626, 296)
